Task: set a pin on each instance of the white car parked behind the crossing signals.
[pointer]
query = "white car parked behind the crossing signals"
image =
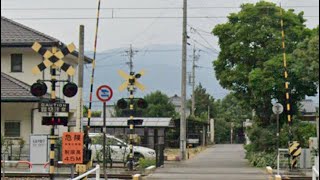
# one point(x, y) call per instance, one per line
point(119, 150)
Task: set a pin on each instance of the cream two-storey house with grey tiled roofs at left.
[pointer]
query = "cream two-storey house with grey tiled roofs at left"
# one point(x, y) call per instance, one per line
point(20, 116)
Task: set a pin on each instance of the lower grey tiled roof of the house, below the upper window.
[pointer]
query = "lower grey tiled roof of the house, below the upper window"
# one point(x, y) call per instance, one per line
point(13, 90)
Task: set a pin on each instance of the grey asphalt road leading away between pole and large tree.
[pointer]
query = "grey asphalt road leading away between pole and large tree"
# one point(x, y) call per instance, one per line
point(220, 162)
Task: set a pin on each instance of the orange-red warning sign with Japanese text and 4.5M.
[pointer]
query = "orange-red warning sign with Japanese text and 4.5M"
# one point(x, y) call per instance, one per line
point(72, 148)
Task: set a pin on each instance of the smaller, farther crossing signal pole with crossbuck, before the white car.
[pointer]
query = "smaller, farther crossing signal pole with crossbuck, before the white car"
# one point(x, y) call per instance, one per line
point(131, 83)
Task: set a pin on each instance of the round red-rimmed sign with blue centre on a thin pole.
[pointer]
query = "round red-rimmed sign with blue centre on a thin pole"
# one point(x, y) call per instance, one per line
point(104, 94)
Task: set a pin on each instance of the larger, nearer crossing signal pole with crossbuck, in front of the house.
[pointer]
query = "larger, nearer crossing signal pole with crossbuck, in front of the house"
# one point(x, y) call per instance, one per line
point(53, 59)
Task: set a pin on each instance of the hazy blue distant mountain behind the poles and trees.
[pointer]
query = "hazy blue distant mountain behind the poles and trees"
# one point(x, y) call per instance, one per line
point(162, 64)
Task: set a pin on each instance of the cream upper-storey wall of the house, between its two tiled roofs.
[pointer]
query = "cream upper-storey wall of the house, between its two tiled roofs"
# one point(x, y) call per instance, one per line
point(31, 59)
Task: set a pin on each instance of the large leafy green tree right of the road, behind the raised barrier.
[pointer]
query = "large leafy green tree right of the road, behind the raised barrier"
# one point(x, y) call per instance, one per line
point(250, 63)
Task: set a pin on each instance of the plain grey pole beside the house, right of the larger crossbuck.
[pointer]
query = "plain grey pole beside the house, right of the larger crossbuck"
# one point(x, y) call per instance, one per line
point(80, 80)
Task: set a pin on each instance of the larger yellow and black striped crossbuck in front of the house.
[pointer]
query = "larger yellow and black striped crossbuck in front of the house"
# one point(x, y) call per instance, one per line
point(53, 58)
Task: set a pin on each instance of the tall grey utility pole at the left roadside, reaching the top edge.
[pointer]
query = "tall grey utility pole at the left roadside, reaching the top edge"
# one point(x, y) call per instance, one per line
point(183, 85)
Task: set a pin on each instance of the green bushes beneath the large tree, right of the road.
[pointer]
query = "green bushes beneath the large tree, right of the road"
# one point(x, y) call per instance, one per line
point(262, 151)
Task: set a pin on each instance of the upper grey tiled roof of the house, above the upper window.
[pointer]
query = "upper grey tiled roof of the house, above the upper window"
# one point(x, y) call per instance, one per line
point(13, 33)
